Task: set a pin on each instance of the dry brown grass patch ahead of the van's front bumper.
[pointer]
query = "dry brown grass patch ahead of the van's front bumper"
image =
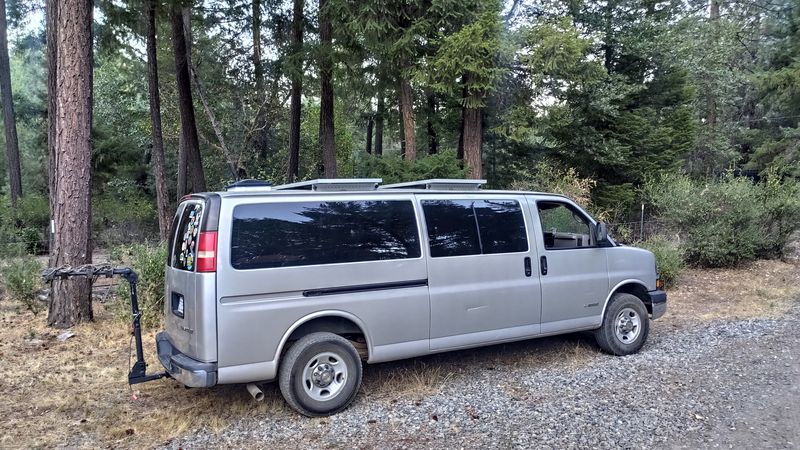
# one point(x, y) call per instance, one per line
point(759, 289)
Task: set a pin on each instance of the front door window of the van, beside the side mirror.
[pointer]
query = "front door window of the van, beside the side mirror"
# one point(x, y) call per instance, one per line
point(563, 227)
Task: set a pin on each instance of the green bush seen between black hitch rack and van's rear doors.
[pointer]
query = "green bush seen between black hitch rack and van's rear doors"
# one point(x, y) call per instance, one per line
point(148, 262)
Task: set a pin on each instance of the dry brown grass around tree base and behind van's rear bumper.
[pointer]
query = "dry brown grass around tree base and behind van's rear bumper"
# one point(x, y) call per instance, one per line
point(74, 393)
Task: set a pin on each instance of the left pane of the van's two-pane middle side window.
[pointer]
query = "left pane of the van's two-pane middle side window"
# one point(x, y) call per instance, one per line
point(452, 230)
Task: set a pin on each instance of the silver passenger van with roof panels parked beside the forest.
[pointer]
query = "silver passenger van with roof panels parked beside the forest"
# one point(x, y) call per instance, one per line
point(302, 282)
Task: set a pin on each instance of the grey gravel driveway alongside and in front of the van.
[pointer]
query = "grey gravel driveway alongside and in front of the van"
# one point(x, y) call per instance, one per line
point(719, 384)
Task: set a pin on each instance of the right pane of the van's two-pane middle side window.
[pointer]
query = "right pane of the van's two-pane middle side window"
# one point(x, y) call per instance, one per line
point(502, 226)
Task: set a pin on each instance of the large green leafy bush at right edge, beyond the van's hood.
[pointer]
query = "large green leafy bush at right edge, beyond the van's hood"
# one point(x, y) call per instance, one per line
point(728, 220)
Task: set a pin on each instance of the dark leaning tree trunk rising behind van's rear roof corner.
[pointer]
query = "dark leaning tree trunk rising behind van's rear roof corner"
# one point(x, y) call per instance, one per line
point(196, 180)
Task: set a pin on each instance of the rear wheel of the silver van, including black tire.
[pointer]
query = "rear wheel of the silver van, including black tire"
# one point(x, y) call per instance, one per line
point(299, 390)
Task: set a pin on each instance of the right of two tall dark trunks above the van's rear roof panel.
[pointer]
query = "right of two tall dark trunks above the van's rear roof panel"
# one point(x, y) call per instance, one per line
point(326, 126)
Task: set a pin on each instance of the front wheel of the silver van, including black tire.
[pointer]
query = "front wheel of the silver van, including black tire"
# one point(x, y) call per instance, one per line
point(607, 335)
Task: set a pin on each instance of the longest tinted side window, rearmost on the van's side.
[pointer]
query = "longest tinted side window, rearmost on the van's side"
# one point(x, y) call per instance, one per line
point(308, 233)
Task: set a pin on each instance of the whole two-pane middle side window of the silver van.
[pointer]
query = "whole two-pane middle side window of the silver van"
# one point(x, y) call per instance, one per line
point(474, 227)
